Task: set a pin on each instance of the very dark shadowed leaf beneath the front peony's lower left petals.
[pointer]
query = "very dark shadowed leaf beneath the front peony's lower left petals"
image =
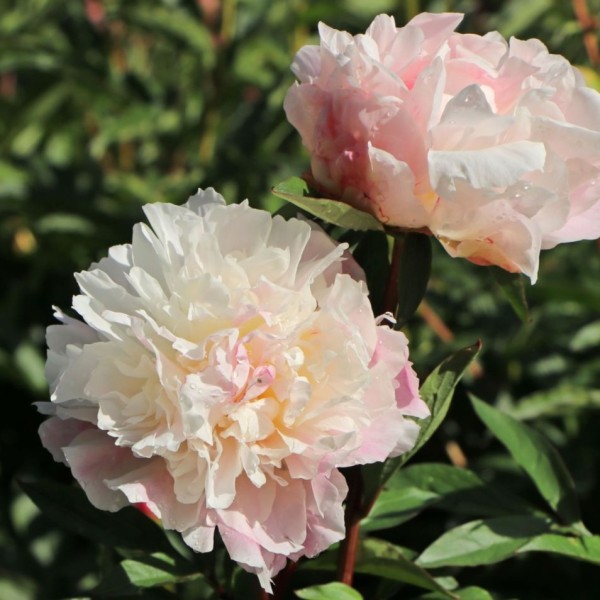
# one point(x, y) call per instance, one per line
point(71, 509)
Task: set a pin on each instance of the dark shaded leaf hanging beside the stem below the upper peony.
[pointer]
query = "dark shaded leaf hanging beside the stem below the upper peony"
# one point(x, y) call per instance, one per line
point(414, 269)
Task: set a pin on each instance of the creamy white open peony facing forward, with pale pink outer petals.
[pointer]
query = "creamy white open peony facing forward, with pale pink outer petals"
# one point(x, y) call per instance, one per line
point(226, 365)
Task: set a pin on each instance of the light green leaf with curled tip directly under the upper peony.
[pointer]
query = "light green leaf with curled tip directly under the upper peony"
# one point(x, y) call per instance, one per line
point(296, 191)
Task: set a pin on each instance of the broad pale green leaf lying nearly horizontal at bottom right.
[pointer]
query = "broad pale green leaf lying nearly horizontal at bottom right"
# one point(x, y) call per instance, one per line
point(482, 542)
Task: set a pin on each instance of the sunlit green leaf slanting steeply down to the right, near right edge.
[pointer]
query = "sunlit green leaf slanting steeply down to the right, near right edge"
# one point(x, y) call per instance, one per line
point(537, 457)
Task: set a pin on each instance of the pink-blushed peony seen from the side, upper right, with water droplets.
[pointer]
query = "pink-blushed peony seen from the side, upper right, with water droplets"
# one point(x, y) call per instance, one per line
point(494, 147)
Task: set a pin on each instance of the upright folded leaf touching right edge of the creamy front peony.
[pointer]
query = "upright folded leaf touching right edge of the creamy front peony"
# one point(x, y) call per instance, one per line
point(437, 392)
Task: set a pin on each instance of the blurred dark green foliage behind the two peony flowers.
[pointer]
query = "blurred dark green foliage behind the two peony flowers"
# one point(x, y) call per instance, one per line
point(108, 105)
